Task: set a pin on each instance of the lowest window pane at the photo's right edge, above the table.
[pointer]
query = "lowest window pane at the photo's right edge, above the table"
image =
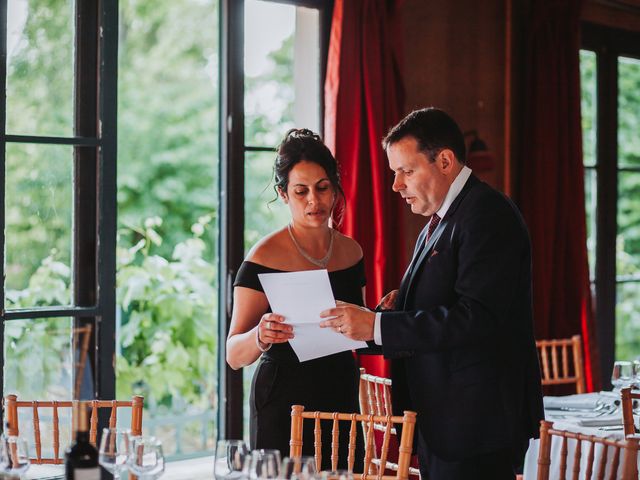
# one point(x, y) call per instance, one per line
point(628, 321)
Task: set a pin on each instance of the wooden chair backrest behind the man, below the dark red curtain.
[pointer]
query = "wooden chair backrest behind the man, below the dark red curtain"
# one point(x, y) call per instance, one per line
point(561, 362)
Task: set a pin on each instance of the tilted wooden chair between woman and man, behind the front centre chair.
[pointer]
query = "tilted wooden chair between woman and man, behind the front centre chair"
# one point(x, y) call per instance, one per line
point(375, 399)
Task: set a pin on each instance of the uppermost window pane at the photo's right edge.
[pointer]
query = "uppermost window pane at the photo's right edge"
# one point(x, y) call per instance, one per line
point(628, 112)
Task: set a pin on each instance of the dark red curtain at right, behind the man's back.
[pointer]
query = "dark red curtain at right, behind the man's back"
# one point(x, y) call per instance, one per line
point(552, 178)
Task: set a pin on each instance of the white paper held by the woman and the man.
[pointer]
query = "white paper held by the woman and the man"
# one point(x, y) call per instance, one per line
point(300, 297)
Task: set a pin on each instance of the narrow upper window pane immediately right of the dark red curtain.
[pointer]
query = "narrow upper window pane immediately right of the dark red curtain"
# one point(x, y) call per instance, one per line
point(588, 105)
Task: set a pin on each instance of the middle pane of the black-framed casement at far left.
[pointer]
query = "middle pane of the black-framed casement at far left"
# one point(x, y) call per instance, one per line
point(38, 215)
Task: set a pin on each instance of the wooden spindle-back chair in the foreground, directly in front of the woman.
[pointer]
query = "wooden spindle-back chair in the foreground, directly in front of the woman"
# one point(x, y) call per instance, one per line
point(408, 421)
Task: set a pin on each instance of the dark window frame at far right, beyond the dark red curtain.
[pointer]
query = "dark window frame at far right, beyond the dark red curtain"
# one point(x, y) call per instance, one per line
point(608, 44)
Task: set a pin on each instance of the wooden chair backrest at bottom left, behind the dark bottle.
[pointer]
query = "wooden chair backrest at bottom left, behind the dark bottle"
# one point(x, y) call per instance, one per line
point(13, 407)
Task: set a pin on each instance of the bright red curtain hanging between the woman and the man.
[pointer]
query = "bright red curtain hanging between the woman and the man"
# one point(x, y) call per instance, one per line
point(363, 99)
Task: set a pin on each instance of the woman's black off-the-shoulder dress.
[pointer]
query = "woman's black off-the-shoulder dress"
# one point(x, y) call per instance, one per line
point(327, 384)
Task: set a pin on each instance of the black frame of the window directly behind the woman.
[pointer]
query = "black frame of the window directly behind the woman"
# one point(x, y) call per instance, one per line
point(231, 178)
